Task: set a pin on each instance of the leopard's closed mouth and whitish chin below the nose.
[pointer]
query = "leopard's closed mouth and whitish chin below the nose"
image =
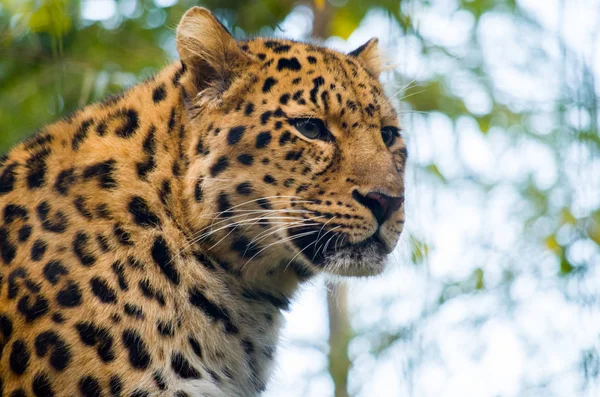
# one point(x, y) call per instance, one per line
point(340, 258)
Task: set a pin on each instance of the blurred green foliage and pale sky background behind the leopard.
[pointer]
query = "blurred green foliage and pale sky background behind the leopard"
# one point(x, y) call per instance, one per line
point(494, 289)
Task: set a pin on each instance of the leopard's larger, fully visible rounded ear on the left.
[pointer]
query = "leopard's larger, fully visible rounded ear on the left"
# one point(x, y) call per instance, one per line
point(209, 50)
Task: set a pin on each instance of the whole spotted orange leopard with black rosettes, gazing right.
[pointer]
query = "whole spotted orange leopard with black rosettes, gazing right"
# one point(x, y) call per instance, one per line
point(151, 244)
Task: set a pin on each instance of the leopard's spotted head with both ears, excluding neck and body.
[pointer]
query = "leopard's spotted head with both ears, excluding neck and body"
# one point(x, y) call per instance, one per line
point(298, 152)
